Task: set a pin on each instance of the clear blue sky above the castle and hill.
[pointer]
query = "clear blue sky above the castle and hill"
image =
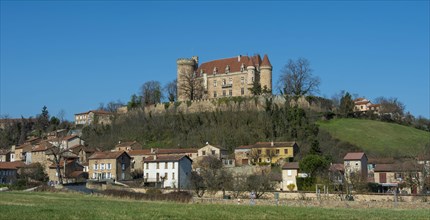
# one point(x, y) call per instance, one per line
point(72, 56)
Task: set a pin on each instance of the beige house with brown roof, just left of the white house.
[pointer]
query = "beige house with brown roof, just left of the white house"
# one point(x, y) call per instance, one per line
point(109, 166)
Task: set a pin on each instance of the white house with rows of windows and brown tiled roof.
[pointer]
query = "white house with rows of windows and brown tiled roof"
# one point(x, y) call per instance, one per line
point(168, 171)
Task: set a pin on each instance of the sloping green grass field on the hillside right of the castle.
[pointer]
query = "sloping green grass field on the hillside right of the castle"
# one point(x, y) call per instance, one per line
point(378, 138)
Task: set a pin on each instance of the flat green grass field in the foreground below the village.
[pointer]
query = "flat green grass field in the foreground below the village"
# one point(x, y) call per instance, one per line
point(36, 205)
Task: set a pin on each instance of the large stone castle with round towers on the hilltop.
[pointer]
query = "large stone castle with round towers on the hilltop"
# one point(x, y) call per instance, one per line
point(222, 78)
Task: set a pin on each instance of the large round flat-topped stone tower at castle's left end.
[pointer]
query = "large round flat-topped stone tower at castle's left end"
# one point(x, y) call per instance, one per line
point(185, 67)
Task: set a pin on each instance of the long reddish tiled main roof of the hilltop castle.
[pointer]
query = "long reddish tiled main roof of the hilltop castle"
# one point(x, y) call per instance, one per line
point(234, 63)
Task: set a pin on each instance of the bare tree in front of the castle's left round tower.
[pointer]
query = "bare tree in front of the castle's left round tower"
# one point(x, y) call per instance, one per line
point(191, 86)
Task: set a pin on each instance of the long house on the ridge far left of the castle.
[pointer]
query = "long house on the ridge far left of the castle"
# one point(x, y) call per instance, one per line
point(93, 117)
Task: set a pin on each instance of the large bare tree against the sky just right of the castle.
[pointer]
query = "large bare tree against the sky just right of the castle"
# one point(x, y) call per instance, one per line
point(297, 80)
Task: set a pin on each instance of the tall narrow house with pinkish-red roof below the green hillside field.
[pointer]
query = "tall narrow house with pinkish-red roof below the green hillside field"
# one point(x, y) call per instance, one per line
point(355, 165)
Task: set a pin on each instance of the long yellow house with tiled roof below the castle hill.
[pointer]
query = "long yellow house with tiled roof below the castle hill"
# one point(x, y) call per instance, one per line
point(267, 152)
